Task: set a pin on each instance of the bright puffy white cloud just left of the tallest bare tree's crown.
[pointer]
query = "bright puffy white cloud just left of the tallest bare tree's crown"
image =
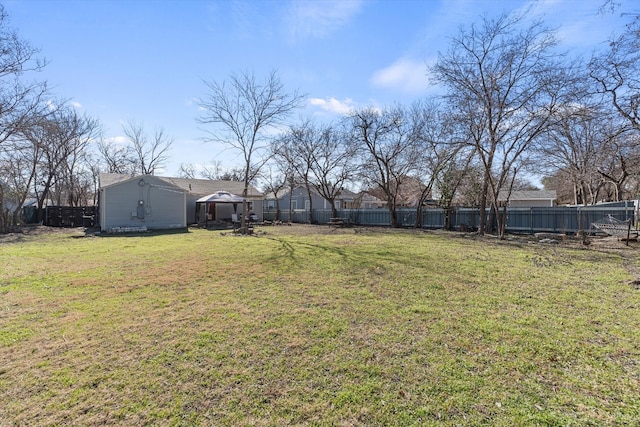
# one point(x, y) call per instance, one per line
point(406, 75)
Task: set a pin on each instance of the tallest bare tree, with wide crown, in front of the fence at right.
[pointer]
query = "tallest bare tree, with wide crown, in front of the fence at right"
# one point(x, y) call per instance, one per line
point(502, 83)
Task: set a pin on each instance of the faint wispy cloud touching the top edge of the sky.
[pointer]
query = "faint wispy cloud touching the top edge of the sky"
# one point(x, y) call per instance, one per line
point(309, 18)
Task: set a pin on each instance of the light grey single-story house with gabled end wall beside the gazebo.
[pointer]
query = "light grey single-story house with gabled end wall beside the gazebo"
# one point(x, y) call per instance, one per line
point(163, 202)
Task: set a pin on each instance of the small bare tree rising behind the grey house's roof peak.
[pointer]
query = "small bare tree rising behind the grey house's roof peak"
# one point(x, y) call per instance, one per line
point(150, 153)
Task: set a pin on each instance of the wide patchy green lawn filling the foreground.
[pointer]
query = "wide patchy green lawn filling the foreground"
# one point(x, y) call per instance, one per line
point(351, 327)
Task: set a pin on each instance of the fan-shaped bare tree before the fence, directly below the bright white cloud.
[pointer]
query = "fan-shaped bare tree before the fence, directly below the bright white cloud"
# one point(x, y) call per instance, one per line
point(390, 143)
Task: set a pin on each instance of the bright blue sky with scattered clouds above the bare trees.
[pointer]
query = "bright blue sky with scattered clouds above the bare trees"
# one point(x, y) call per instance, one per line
point(145, 60)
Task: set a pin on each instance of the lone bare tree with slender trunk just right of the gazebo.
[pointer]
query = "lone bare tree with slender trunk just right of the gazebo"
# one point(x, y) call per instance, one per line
point(242, 111)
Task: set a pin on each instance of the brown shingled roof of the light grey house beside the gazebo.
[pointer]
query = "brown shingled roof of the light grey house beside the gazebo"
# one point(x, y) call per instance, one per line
point(199, 187)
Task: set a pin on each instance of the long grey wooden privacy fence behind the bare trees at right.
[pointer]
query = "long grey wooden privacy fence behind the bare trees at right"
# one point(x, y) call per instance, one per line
point(519, 220)
